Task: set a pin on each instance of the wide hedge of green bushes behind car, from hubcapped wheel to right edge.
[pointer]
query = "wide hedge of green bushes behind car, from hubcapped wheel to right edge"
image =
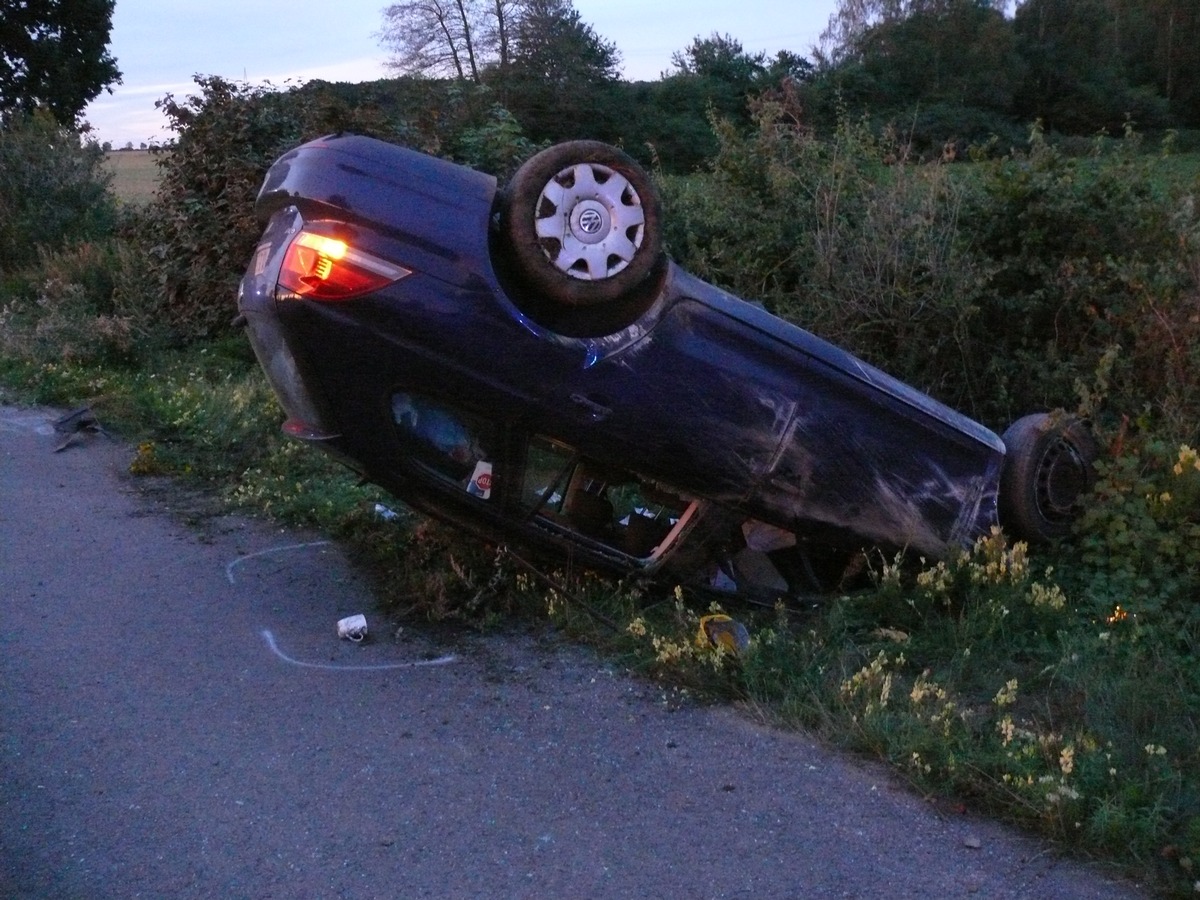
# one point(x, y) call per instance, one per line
point(999, 291)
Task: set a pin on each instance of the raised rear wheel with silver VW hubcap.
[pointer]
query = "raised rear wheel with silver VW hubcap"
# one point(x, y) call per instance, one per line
point(583, 221)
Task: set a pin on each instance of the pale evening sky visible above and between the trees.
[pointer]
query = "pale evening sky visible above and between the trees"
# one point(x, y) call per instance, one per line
point(161, 45)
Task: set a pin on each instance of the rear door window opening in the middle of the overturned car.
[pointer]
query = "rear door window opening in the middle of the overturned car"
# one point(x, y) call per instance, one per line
point(610, 506)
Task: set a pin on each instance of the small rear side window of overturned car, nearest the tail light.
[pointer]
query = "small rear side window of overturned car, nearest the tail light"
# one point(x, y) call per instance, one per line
point(454, 446)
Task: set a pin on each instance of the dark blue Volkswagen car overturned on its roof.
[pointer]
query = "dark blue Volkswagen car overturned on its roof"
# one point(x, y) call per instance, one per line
point(529, 364)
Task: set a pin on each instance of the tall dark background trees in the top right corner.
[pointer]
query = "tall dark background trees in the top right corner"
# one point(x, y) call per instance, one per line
point(1081, 67)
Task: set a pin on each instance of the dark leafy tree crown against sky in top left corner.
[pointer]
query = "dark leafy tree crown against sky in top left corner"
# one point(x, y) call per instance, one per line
point(55, 55)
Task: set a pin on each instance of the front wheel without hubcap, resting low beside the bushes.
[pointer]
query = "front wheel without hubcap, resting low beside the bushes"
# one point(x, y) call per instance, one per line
point(1048, 469)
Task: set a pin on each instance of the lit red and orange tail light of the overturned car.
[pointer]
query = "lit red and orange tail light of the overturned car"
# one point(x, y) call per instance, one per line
point(325, 268)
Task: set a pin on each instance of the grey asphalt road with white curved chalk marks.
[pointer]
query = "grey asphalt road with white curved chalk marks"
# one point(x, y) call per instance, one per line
point(178, 719)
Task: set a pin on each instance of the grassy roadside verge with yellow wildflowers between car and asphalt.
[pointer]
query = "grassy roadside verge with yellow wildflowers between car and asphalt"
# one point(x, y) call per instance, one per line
point(1003, 680)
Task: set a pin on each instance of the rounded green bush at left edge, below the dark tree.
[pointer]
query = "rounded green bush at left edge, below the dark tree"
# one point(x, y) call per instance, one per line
point(52, 189)
